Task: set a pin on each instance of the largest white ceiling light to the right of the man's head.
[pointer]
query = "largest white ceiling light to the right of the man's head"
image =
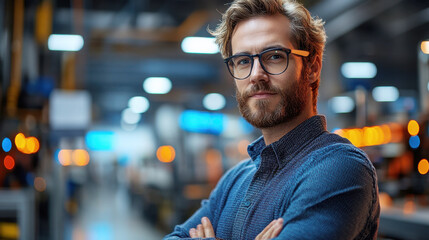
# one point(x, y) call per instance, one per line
point(359, 70)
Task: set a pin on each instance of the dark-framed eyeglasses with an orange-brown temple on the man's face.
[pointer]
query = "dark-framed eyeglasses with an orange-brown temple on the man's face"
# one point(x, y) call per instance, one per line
point(274, 61)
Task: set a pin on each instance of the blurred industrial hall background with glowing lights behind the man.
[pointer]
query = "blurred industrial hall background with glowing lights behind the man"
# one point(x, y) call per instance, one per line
point(118, 117)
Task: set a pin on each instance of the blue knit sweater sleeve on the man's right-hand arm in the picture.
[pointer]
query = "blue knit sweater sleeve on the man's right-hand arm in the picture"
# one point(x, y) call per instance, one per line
point(336, 196)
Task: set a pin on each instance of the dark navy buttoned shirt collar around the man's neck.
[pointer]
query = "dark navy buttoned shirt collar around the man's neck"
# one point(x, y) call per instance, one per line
point(291, 143)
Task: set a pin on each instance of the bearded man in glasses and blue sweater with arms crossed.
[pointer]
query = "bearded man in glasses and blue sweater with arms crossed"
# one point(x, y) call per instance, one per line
point(301, 182)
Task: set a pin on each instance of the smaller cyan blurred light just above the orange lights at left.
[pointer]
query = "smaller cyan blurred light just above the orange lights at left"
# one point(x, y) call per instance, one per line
point(100, 140)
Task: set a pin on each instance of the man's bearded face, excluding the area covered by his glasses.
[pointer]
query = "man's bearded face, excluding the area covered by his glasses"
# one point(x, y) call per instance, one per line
point(267, 100)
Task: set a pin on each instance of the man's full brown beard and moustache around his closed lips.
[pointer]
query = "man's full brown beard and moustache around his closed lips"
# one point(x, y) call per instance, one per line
point(292, 102)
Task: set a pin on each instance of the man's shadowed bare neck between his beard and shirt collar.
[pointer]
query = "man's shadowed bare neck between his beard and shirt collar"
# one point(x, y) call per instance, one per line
point(273, 134)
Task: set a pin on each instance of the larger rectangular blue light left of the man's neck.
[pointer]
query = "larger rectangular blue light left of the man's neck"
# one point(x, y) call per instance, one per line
point(202, 122)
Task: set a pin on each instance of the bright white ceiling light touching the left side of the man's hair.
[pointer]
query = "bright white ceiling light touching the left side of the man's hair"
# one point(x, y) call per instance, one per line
point(201, 45)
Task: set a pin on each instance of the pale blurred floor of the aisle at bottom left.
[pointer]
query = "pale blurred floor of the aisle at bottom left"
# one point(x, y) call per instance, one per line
point(106, 214)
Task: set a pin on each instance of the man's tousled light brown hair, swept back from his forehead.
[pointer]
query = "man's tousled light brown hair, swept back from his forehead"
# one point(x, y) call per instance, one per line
point(307, 33)
